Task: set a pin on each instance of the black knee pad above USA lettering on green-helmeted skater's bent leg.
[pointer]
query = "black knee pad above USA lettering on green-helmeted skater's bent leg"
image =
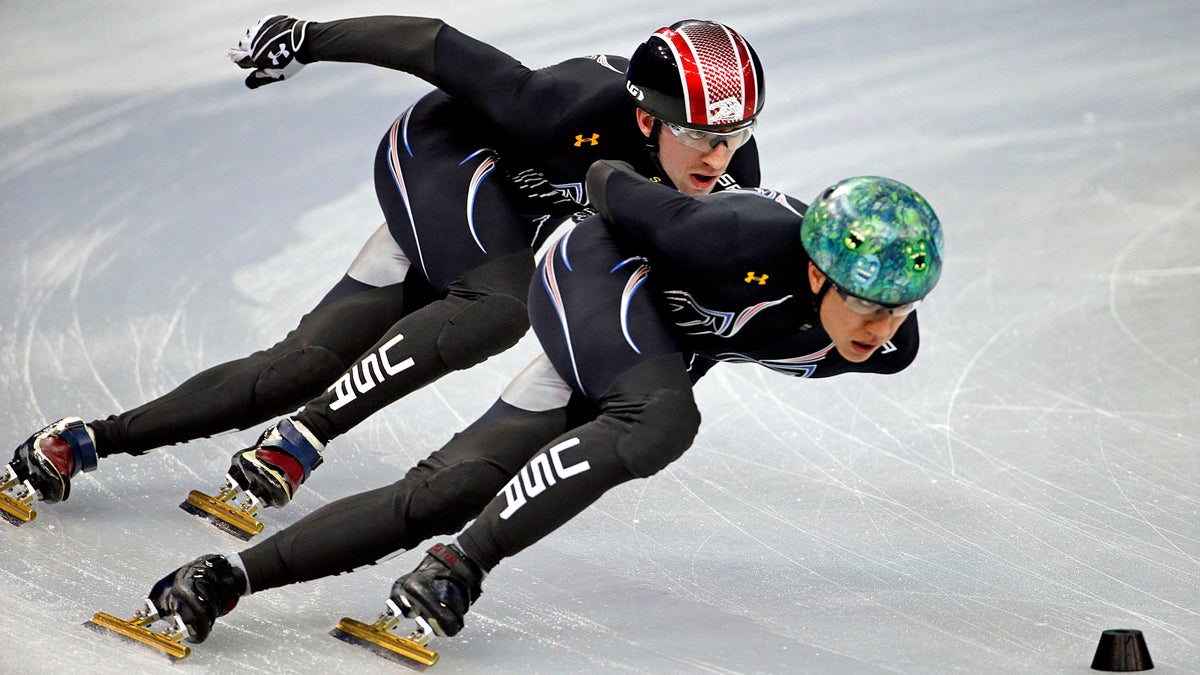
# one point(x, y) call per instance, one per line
point(657, 431)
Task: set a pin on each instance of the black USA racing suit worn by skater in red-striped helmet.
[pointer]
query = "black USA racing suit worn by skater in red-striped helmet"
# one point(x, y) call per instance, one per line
point(471, 180)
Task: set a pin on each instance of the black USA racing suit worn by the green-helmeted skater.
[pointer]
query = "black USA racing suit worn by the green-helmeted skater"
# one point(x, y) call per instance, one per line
point(631, 313)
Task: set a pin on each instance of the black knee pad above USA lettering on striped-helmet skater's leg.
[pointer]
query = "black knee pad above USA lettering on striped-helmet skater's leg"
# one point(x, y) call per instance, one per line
point(484, 327)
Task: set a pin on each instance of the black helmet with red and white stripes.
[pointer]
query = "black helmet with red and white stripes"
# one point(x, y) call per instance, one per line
point(699, 75)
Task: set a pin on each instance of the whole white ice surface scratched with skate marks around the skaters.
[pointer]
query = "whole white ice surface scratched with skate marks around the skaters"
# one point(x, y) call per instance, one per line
point(1033, 481)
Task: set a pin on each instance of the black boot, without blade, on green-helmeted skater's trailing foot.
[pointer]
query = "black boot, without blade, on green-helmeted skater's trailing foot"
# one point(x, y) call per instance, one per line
point(200, 593)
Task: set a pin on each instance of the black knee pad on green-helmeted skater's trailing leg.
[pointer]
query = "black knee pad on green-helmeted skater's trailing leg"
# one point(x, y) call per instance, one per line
point(452, 497)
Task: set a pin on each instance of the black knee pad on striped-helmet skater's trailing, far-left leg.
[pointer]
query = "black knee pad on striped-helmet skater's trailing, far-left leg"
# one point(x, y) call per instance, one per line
point(291, 380)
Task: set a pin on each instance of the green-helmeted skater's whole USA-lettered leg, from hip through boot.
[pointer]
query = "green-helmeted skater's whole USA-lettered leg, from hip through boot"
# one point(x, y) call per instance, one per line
point(615, 349)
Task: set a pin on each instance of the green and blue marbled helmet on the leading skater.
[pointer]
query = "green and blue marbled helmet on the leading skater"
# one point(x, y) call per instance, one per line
point(875, 238)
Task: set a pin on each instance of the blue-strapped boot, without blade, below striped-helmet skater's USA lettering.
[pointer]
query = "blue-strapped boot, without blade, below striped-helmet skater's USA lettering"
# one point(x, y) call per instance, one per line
point(275, 468)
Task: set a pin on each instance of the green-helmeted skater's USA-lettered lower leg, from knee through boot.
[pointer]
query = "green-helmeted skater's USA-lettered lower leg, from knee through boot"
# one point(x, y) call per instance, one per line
point(647, 421)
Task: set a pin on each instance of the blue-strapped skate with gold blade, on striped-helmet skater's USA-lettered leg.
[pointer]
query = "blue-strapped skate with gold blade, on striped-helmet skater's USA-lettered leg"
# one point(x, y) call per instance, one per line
point(269, 474)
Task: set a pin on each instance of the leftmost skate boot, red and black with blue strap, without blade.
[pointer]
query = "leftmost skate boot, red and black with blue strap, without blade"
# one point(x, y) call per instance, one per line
point(52, 457)
